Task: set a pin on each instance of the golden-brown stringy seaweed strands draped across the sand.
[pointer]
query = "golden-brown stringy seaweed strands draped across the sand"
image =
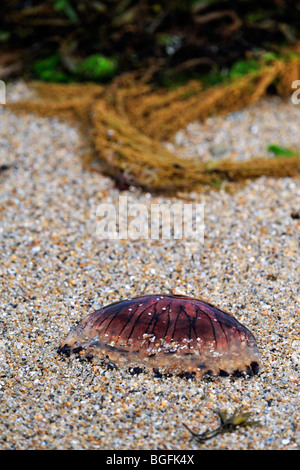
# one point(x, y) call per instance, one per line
point(127, 120)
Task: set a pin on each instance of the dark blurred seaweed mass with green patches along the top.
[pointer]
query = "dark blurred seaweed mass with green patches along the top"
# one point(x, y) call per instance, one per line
point(168, 39)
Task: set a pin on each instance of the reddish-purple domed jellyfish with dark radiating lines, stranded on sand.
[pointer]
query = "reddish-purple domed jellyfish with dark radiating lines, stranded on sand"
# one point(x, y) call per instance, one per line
point(170, 333)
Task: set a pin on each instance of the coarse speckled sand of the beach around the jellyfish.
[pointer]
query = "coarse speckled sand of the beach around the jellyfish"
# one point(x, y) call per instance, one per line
point(55, 270)
